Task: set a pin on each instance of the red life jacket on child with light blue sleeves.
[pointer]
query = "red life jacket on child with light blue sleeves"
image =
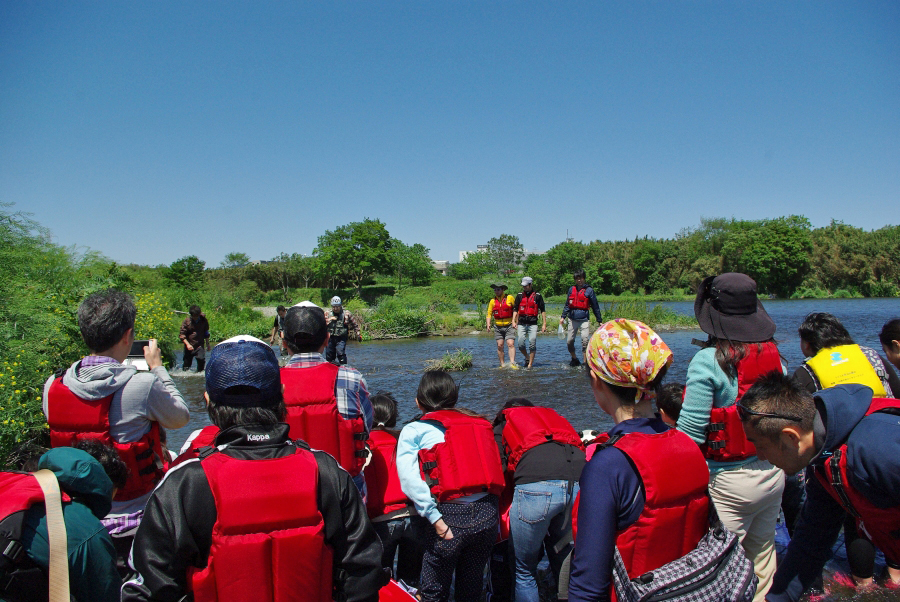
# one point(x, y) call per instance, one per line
point(467, 462)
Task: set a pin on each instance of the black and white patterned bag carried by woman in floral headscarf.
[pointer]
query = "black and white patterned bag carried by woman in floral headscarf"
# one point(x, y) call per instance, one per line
point(717, 570)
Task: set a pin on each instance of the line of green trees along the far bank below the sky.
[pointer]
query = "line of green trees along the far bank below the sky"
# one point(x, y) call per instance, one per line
point(785, 255)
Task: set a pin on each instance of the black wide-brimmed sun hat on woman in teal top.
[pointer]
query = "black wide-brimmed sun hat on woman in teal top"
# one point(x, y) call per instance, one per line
point(727, 307)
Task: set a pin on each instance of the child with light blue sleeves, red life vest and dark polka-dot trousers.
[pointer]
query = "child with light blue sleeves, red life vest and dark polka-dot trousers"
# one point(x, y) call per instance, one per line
point(449, 466)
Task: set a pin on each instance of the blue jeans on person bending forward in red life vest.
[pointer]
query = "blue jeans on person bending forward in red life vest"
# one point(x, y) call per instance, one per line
point(536, 518)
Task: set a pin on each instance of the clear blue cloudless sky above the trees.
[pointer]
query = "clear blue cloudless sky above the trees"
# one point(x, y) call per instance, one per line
point(153, 130)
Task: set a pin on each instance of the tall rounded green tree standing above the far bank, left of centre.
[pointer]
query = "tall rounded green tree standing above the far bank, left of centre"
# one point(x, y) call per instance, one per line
point(358, 251)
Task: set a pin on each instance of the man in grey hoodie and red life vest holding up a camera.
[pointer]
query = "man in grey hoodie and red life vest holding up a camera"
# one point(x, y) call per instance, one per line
point(100, 397)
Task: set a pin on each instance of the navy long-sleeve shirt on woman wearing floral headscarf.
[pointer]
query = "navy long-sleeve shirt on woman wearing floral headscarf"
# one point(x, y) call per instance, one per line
point(611, 499)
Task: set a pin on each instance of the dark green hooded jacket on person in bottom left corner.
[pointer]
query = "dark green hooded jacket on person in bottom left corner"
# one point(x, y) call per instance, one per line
point(92, 557)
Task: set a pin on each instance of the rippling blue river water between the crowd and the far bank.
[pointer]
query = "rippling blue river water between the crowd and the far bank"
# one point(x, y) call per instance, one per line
point(397, 366)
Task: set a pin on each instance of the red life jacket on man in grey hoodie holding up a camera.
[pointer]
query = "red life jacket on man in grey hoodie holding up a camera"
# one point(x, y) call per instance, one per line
point(74, 419)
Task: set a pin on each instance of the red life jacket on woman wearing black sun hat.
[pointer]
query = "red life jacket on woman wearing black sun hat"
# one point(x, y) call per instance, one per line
point(725, 438)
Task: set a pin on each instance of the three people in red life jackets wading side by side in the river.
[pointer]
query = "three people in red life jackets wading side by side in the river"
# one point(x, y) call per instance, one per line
point(516, 319)
